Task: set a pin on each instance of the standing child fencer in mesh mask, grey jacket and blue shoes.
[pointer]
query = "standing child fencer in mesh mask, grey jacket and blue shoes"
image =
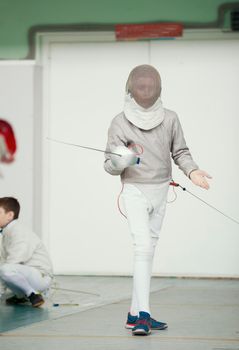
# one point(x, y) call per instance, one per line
point(146, 125)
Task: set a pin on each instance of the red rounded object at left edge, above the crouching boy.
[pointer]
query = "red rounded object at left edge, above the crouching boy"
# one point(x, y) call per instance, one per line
point(7, 132)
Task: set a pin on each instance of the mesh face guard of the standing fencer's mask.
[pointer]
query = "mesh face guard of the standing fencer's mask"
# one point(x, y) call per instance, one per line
point(144, 85)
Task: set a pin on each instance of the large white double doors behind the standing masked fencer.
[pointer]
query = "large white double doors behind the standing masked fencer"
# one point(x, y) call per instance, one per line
point(83, 86)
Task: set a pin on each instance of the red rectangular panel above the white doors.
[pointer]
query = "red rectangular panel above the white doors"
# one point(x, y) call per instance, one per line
point(148, 31)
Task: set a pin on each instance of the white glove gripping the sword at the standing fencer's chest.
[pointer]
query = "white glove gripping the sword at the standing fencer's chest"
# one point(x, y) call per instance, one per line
point(127, 158)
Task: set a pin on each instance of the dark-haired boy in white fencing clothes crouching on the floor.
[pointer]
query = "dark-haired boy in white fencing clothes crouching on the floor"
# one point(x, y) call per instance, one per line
point(25, 266)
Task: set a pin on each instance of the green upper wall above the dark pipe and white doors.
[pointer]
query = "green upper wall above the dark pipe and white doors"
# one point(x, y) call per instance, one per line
point(18, 16)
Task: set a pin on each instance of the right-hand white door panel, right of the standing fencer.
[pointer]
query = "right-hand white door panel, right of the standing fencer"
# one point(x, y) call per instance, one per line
point(200, 81)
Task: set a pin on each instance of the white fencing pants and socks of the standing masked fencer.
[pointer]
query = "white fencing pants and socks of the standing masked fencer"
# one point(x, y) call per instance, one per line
point(145, 207)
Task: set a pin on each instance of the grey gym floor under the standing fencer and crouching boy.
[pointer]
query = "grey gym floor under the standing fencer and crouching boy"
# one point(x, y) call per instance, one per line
point(201, 314)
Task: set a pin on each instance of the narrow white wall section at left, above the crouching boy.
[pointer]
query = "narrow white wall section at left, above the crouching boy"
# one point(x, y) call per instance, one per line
point(16, 106)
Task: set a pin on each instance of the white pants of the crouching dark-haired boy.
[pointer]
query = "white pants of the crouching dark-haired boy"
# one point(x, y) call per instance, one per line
point(24, 280)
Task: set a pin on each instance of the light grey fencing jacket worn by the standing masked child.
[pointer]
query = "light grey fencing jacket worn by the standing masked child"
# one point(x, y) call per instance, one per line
point(159, 144)
